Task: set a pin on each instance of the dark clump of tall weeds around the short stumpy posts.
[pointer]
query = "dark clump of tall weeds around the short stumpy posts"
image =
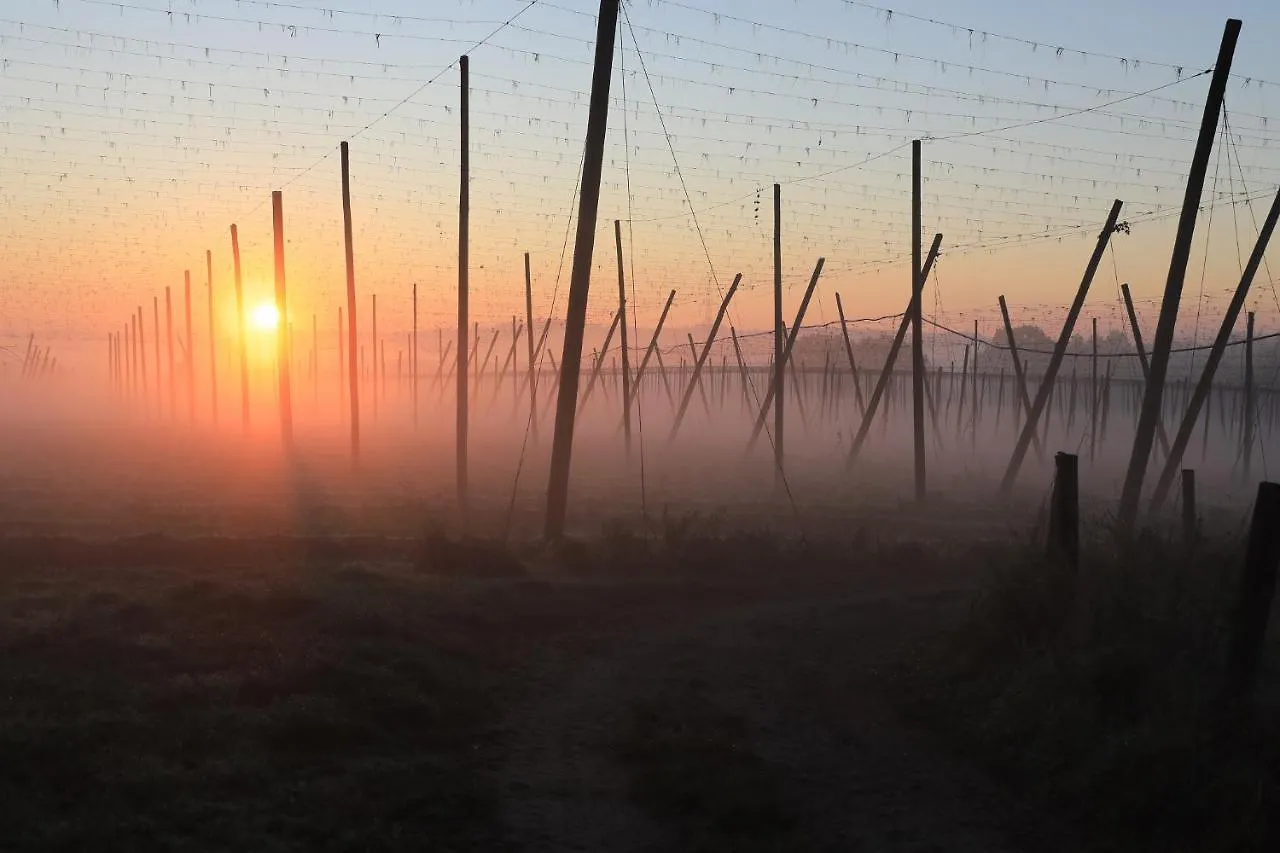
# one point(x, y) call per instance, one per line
point(1112, 706)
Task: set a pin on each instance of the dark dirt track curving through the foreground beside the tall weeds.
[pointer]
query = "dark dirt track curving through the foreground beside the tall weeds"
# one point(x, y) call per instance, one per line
point(751, 726)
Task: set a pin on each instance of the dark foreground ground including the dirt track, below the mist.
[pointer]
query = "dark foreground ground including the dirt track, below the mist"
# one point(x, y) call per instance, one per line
point(310, 703)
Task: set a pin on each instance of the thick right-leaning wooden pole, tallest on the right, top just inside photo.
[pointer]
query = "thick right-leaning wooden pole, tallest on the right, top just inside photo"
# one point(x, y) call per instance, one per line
point(1164, 341)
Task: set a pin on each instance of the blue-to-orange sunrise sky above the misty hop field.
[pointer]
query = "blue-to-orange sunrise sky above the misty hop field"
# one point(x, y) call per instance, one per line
point(138, 133)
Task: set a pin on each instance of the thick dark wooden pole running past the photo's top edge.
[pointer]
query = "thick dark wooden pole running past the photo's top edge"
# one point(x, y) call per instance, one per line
point(580, 279)
